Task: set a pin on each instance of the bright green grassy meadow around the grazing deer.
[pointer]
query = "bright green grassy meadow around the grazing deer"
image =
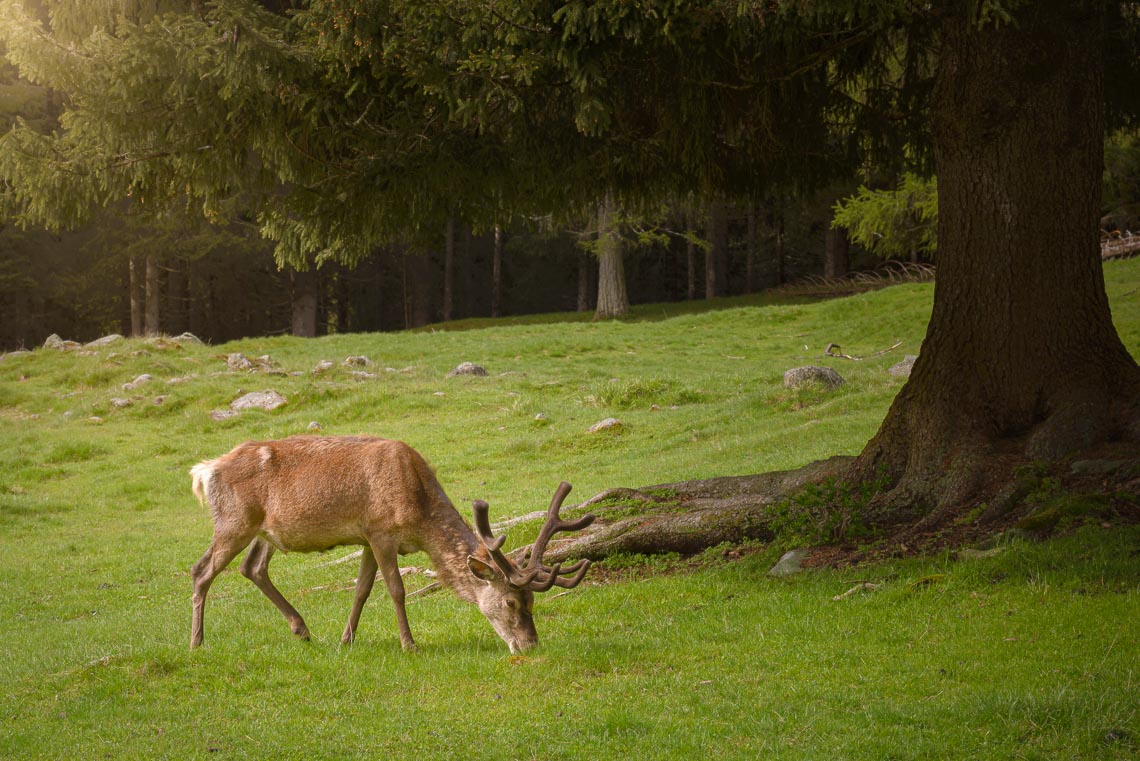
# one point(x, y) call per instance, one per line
point(1028, 652)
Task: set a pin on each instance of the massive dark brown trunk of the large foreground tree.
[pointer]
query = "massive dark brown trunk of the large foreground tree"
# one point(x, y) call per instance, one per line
point(1021, 361)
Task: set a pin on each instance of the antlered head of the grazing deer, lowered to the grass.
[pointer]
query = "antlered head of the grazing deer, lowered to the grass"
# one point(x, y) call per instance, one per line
point(508, 598)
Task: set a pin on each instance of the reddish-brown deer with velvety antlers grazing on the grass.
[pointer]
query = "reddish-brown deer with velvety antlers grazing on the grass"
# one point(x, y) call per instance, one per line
point(313, 494)
